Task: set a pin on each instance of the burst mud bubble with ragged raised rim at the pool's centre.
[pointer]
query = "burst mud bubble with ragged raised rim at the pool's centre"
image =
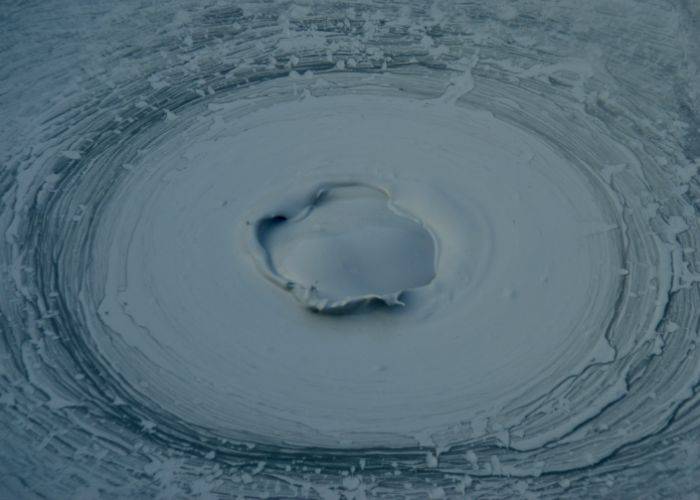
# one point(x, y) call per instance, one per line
point(343, 245)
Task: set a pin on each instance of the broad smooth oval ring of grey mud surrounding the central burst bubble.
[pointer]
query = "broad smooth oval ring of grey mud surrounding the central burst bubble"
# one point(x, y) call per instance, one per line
point(324, 374)
